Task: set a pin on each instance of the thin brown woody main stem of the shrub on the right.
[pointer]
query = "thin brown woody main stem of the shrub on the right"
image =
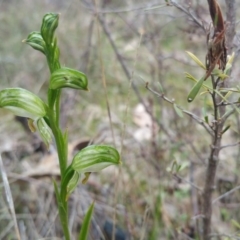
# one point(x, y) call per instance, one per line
point(212, 163)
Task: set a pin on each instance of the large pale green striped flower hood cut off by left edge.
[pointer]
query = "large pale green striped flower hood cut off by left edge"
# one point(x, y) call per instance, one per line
point(22, 103)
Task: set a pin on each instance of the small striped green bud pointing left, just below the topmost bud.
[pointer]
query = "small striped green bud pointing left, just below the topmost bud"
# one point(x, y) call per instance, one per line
point(36, 41)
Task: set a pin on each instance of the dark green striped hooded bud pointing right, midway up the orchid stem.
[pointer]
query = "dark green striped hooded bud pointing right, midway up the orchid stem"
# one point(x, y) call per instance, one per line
point(68, 78)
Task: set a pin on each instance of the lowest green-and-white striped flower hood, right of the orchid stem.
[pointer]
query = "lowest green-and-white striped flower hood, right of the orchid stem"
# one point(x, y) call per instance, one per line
point(95, 158)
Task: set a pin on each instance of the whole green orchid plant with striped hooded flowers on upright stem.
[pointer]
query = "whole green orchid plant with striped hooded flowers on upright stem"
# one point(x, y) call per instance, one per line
point(44, 117)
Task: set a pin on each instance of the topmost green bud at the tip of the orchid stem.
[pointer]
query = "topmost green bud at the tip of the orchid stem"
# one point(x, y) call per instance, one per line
point(49, 25)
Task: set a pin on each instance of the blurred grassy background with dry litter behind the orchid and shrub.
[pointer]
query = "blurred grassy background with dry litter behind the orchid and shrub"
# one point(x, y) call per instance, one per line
point(131, 43)
